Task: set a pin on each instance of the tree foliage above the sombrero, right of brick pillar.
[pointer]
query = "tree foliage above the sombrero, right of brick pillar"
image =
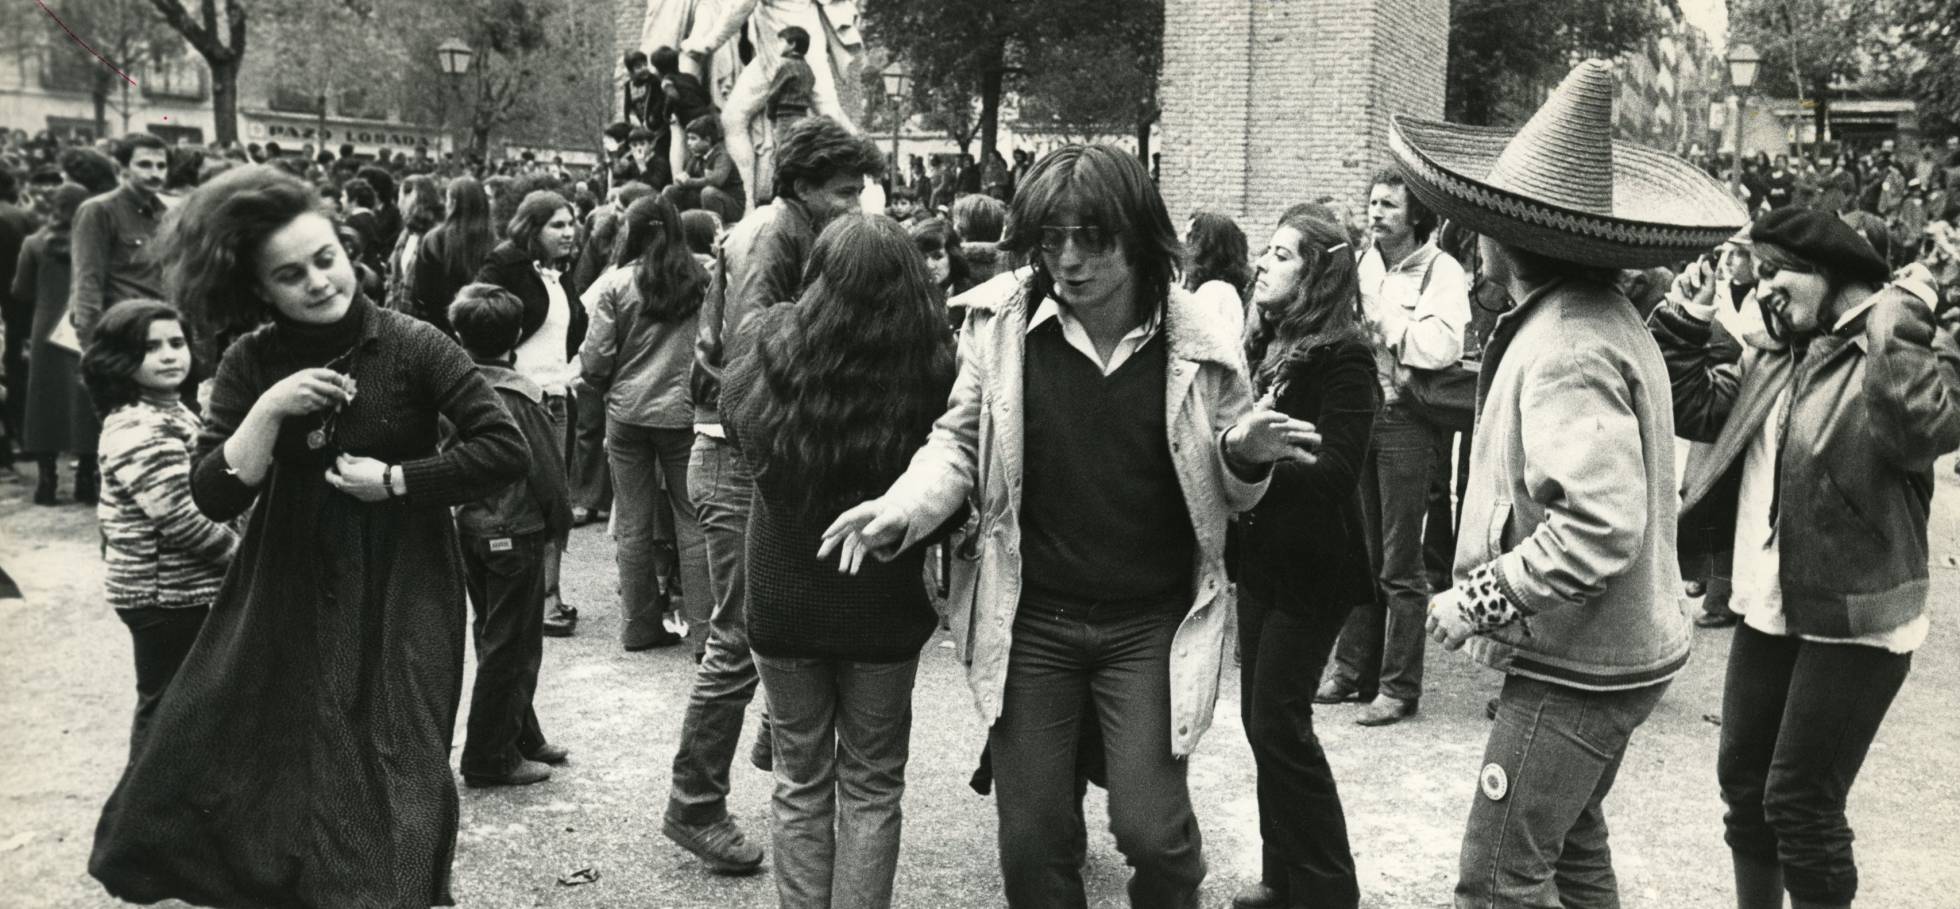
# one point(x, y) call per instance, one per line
point(1504, 54)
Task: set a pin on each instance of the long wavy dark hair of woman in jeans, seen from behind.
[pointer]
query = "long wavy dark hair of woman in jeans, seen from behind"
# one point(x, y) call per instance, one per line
point(856, 387)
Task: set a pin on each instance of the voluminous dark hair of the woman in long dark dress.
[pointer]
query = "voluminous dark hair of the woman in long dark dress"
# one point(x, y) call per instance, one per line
point(211, 240)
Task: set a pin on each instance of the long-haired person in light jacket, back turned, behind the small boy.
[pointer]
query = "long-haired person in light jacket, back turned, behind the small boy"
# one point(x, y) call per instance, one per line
point(638, 354)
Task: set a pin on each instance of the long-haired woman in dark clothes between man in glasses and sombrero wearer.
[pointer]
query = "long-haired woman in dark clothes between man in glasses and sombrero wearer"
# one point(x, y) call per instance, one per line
point(1302, 555)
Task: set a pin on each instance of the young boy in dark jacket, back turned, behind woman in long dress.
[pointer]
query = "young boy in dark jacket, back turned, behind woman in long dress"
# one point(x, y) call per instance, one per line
point(507, 540)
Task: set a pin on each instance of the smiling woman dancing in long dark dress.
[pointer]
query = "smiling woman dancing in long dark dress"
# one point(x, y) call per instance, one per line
point(303, 753)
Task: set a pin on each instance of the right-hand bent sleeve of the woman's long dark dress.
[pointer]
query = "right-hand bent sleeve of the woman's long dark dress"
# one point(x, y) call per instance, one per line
point(489, 452)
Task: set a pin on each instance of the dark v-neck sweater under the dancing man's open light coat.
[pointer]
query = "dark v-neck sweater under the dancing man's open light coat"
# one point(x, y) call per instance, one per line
point(1102, 514)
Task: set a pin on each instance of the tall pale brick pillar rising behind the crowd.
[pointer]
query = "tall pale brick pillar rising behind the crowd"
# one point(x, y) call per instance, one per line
point(1271, 103)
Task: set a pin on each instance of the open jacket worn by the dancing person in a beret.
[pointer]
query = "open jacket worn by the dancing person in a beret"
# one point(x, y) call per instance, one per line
point(1871, 407)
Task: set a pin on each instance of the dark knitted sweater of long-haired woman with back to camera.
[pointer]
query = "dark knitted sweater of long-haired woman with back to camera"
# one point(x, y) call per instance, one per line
point(801, 604)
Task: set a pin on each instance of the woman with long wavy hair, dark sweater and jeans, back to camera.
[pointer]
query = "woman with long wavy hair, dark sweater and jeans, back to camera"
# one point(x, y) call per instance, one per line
point(830, 405)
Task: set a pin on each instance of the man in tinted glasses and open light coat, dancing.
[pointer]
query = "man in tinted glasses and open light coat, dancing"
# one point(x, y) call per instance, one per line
point(1104, 426)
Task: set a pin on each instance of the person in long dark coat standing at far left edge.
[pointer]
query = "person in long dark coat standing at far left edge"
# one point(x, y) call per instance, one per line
point(58, 412)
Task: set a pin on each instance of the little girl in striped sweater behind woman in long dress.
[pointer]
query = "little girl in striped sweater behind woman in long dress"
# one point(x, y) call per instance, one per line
point(166, 559)
